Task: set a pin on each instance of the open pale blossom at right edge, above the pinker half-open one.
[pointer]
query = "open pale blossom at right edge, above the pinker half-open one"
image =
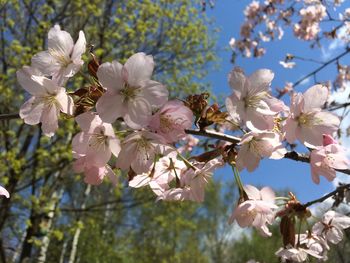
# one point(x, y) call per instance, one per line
point(306, 121)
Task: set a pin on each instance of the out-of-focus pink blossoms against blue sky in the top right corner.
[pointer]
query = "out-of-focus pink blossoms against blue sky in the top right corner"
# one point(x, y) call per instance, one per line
point(267, 20)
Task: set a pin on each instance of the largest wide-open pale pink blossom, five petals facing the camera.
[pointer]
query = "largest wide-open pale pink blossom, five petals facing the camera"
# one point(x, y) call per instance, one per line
point(131, 93)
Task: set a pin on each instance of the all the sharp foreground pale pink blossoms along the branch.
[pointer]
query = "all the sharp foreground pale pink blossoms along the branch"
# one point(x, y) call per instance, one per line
point(133, 124)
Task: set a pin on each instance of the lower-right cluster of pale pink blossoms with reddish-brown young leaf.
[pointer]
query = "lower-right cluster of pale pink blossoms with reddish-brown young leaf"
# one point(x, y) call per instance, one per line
point(257, 208)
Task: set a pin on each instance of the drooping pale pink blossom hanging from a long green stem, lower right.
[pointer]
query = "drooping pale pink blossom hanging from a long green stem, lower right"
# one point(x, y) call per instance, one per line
point(257, 211)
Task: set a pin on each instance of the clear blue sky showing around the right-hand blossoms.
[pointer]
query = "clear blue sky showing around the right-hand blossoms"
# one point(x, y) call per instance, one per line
point(280, 174)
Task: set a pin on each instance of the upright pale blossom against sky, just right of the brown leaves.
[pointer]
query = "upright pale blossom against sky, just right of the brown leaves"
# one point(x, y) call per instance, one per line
point(251, 99)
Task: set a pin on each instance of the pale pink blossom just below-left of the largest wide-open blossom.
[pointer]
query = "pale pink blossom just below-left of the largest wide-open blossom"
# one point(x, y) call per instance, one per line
point(97, 140)
